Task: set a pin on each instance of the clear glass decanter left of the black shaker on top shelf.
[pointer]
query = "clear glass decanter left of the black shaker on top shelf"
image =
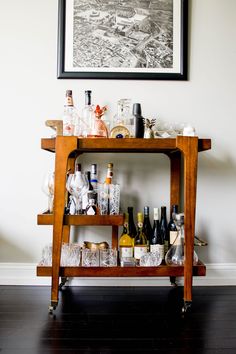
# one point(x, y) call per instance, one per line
point(123, 118)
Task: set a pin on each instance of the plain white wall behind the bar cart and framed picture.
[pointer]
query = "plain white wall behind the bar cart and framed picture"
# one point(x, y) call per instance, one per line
point(30, 94)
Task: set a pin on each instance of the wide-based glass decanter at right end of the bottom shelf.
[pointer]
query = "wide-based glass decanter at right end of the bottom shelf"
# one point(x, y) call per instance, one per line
point(175, 255)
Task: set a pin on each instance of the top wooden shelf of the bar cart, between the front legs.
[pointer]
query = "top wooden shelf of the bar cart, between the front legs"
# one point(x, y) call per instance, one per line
point(164, 145)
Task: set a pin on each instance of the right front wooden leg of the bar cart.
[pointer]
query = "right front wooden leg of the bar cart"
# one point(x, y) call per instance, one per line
point(189, 146)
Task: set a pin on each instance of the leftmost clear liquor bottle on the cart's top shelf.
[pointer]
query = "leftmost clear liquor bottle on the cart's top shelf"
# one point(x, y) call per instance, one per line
point(69, 115)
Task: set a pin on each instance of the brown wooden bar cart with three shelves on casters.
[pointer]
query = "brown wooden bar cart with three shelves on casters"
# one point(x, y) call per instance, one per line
point(67, 149)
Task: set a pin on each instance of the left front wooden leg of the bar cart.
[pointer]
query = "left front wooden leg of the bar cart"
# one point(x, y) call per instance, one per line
point(64, 147)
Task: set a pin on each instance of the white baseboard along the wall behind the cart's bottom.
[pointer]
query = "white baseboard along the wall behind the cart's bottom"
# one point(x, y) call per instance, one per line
point(25, 274)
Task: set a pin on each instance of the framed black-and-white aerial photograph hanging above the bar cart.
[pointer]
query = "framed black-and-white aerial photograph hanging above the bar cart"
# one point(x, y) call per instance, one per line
point(123, 39)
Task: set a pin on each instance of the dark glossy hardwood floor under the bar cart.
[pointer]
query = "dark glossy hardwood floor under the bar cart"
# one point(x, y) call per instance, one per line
point(117, 319)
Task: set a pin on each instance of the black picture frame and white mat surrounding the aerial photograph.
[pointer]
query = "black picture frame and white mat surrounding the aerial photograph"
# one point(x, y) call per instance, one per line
point(145, 74)
